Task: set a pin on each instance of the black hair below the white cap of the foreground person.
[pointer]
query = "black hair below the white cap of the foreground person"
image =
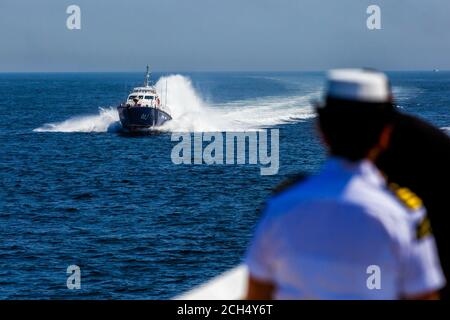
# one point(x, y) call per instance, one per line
point(352, 128)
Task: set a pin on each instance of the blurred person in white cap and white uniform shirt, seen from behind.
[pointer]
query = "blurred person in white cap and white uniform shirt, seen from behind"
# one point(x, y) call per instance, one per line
point(344, 234)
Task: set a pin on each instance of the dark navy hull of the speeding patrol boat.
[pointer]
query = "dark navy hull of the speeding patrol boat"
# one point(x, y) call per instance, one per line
point(136, 118)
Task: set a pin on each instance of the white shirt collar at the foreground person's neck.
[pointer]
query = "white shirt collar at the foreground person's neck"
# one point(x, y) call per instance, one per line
point(336, 166)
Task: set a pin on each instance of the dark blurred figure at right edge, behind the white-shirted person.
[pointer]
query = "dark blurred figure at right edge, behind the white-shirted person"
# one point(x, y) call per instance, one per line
point(418, 157)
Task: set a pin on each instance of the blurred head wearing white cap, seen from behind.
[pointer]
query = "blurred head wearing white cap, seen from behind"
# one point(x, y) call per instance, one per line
point(355, 118)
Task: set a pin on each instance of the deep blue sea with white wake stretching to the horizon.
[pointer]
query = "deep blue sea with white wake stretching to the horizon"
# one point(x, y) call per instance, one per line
point(76, 190)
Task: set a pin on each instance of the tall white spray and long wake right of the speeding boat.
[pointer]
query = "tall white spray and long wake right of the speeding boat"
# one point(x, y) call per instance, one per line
point(191, 114)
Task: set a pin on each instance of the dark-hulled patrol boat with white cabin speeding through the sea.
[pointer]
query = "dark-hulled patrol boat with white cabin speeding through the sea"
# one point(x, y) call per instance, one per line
point(143, 109)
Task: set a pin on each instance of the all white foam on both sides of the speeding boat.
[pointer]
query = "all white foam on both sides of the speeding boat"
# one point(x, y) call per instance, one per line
point(191, 114)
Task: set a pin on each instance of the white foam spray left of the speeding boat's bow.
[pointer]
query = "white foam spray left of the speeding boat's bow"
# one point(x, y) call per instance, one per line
point(107, 120)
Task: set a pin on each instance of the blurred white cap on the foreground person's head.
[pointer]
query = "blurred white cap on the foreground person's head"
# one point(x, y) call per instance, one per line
point(358, 85)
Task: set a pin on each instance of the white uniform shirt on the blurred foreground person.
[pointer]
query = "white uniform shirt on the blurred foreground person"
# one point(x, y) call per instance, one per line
point(317, 239)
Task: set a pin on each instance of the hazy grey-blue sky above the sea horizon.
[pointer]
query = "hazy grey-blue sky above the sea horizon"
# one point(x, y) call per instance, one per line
point(214, 35)
